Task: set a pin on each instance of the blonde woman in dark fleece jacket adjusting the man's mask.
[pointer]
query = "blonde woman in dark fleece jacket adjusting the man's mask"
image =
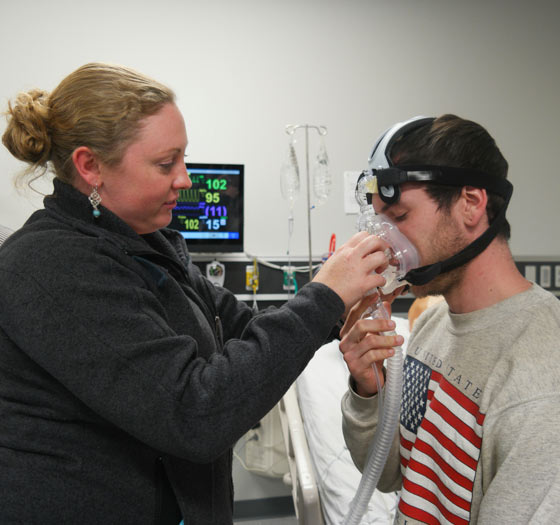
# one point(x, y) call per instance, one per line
point(125, 377)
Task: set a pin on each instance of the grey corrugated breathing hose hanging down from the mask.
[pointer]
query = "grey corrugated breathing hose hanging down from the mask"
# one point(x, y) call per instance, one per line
point(383, 439)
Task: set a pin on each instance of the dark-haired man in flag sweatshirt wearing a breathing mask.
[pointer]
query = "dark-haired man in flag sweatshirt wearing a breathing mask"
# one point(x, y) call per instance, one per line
point(478, 439)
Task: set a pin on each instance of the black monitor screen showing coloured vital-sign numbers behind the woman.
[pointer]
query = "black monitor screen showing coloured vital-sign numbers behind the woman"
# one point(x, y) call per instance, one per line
point(209, 215)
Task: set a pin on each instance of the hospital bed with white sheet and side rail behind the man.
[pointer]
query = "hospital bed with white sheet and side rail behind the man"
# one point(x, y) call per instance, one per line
point(322, 475)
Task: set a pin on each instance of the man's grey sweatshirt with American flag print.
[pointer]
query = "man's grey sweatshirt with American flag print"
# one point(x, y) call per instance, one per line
point(480, 414)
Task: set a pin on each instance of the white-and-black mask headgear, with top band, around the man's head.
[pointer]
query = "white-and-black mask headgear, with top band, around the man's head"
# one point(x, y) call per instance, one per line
point(384, 179)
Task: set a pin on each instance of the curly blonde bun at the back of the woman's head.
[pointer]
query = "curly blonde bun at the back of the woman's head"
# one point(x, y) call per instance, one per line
point(27, 136)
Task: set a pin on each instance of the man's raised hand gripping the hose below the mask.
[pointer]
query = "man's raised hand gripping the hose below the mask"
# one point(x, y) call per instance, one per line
point(363, 345)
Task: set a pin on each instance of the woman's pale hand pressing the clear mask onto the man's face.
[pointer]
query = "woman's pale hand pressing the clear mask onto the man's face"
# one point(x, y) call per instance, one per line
point(353, 269)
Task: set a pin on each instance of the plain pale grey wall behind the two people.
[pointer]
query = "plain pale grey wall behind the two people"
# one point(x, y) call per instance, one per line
point(243, 70)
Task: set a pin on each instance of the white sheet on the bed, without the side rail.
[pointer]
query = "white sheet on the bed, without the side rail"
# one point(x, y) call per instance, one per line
point(320, 389)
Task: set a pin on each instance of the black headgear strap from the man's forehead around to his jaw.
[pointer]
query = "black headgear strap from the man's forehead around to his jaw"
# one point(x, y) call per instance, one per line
point(453, 177)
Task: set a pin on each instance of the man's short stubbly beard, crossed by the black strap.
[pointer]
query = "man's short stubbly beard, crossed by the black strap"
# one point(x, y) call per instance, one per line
point(449, 241)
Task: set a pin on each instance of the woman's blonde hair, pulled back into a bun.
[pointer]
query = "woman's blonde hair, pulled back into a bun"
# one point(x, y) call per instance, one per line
point(100, 106)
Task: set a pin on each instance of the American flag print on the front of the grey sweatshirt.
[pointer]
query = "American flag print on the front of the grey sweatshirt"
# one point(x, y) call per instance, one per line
point(440, 440)
